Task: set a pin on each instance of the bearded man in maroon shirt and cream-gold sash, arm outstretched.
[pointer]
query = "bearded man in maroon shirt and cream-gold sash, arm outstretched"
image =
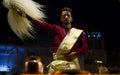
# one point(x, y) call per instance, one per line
point(69, 42)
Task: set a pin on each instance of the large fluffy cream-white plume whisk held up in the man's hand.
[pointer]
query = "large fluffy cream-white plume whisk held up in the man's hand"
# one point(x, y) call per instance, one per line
point(18, 9)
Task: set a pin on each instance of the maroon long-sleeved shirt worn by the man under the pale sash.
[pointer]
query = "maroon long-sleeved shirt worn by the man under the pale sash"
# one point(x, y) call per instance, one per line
point(80, 47)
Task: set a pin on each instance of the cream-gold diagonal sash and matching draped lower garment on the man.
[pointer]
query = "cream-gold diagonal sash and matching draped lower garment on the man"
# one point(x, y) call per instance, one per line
point(60, 63)
